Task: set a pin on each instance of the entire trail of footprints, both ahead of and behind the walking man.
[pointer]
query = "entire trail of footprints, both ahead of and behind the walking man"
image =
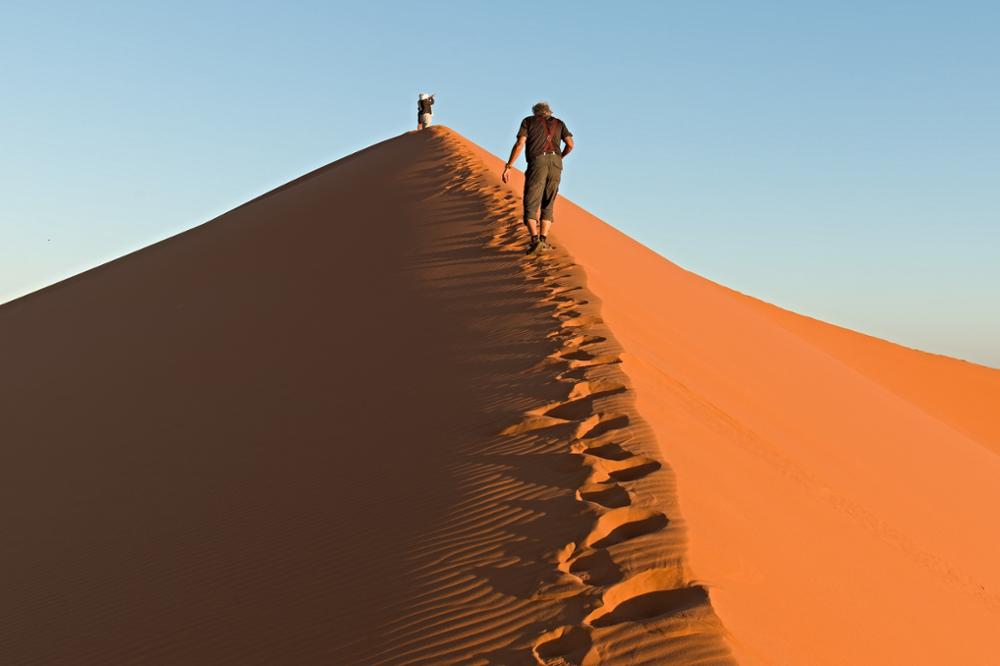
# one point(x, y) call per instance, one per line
point(614, 592)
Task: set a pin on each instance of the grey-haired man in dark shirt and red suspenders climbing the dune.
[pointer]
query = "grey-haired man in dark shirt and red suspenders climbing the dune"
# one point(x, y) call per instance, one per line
point(543, 134)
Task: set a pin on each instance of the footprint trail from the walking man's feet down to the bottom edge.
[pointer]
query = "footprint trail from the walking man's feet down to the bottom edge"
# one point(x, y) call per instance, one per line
point(601, 438)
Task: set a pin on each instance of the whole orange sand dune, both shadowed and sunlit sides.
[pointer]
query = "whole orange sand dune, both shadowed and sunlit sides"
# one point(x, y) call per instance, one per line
point(350, 423)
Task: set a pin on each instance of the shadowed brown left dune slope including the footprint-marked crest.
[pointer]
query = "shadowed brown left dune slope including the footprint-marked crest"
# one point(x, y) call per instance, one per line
point(346, 423)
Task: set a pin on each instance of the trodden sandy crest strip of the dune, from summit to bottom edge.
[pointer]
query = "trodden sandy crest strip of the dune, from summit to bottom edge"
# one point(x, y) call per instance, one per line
point(633, 580)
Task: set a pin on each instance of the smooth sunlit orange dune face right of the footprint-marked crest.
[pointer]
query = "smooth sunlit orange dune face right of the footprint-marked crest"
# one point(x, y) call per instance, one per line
point(840, 490)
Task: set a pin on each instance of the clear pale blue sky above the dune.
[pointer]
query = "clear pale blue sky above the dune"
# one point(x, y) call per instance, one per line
point(840, 159)
